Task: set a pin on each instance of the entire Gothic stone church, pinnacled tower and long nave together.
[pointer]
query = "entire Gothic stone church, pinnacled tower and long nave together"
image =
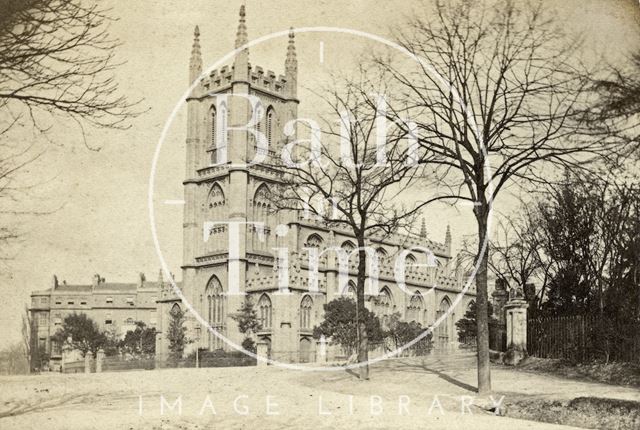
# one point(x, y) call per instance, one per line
point(241, 194)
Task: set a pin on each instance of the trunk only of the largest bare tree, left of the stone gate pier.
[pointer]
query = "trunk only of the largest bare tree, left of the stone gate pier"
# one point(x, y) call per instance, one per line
point(482, 319)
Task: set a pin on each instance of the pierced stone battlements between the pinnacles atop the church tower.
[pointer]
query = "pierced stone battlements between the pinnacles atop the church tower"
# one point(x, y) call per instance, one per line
point(258, 78)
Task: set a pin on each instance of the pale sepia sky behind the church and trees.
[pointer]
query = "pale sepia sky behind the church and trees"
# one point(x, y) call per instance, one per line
point(95, 198)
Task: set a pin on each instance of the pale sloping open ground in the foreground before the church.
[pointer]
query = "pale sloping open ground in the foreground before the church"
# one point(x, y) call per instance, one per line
point(406, 393)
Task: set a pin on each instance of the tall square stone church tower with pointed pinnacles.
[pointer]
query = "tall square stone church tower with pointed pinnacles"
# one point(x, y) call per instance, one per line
point(216, 193)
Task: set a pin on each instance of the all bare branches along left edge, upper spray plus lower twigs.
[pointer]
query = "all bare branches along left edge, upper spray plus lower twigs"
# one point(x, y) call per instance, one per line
point(56, 67)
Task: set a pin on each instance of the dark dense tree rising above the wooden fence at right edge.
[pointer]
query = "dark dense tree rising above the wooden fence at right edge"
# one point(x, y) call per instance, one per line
point(587, 227)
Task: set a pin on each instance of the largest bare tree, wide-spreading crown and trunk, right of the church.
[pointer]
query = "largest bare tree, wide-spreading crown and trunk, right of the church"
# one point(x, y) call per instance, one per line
point(508, 109)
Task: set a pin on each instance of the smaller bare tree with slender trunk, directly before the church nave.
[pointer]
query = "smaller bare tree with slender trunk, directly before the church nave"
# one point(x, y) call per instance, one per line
point(347, 183)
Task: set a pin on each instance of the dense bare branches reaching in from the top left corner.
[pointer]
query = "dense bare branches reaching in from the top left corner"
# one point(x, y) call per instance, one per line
point(57, 58)
